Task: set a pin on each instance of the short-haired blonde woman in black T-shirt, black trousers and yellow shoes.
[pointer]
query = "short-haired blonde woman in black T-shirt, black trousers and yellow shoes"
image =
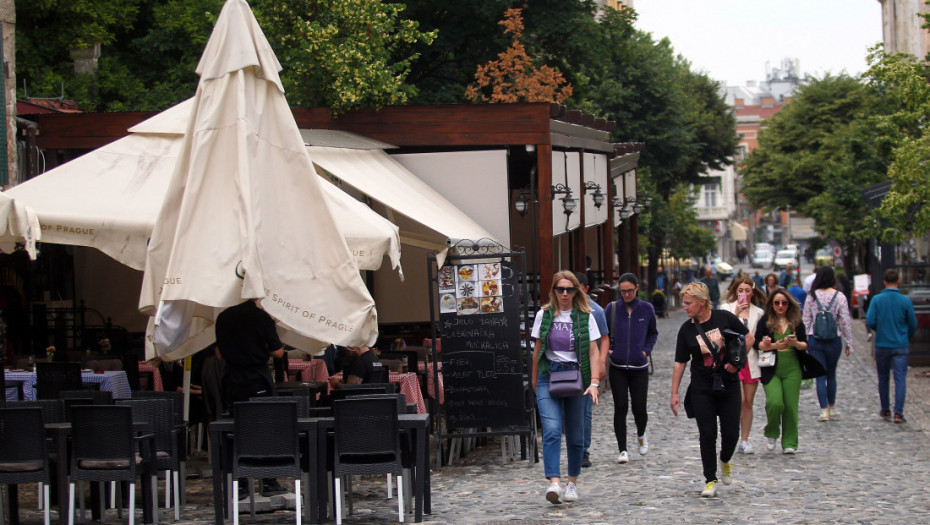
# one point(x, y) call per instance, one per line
point(714, 392)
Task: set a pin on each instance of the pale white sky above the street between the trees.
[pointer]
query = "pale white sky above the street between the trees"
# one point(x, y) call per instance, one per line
point(731, 40)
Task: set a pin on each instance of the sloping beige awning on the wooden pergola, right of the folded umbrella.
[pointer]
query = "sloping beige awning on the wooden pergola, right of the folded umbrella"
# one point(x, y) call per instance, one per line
point(436, 223)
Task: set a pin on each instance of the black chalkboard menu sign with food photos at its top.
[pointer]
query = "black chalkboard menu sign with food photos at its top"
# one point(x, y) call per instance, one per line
point(479, 321)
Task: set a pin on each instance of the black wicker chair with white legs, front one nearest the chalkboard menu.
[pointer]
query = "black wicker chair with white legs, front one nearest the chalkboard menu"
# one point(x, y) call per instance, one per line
point(366, 442)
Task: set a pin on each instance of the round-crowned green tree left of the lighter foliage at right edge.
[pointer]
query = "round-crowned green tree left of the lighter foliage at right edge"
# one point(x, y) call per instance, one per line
point(817, 155)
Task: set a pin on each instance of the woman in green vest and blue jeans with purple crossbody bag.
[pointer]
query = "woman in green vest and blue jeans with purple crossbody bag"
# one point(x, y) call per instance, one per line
point(566, 335)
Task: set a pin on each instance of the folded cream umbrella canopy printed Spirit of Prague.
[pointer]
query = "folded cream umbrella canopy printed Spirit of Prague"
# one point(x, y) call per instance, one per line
point(241, 219)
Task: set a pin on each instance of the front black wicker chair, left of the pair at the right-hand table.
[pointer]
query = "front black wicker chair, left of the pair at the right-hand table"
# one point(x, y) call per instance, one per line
point(265, 445)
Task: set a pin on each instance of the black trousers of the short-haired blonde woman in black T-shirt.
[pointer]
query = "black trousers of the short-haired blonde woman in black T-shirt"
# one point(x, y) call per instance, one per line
point(708, 407)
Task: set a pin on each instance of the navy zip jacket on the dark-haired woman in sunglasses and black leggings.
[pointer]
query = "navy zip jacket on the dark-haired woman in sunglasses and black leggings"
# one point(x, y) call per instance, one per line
point(635, 333)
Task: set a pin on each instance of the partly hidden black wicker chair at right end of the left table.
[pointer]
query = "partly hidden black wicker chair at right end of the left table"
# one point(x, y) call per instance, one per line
point(159, 414)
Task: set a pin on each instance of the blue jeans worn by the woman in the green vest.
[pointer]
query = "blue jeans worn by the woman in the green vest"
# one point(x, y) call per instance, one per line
point(554, 413)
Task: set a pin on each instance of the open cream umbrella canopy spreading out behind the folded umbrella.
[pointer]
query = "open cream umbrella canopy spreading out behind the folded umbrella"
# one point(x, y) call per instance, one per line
point(109, 199)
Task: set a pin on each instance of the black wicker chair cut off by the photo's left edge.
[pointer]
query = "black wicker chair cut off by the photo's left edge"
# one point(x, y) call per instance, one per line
point(23, 452)
